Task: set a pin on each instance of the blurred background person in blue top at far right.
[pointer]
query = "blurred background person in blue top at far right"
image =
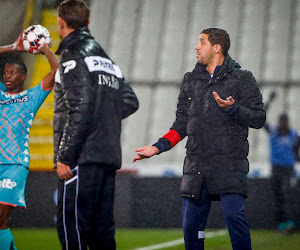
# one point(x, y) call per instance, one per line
point(284, 152)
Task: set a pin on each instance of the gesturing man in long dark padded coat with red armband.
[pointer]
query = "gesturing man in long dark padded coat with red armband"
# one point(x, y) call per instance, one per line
point(218, 102)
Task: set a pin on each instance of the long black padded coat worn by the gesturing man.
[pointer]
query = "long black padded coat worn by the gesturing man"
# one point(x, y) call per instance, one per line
point(217, 146)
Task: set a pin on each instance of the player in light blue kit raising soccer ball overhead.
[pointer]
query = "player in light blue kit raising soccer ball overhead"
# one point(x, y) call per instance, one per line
point(18, 108)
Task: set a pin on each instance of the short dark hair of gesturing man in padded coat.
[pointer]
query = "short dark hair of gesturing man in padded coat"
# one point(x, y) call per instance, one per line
point(218, 36)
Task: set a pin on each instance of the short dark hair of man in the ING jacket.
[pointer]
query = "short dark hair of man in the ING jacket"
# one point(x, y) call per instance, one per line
point(75, 12)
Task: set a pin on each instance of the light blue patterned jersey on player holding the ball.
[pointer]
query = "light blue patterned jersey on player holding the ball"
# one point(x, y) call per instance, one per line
point(17, 113)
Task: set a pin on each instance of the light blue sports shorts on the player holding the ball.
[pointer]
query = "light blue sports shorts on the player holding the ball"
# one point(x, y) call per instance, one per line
point(12, 185)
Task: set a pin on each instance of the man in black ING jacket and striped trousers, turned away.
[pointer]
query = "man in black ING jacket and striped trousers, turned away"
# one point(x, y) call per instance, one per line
point(91, 99)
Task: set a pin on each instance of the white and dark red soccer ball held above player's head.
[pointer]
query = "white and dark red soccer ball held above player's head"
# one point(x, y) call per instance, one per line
point(34, 37)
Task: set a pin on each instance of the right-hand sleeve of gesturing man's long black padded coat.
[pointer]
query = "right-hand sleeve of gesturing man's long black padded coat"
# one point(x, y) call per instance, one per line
point(250, 111)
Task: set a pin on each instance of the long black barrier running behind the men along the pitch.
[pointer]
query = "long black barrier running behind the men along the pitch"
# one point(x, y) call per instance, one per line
point(147, 202)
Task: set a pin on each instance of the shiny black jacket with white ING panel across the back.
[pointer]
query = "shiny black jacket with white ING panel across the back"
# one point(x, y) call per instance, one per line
point(91, 99)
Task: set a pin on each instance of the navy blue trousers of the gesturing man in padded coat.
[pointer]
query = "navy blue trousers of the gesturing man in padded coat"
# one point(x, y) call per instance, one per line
point(195, 214)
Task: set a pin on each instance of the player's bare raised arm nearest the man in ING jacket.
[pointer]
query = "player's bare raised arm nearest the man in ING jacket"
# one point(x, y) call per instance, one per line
point(48, 80)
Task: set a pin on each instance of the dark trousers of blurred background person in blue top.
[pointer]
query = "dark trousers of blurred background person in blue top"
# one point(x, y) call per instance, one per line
point(281, 183)
